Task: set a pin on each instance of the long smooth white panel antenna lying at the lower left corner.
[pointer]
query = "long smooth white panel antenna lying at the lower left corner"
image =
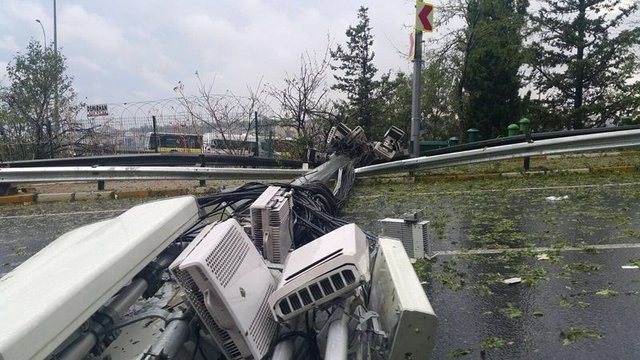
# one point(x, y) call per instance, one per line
point(45, 299)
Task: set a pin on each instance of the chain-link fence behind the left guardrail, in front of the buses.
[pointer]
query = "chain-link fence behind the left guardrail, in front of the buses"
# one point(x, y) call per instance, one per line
point(127, 128)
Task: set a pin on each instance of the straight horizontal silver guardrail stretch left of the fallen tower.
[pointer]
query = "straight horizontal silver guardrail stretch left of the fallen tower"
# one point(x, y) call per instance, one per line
point(97, 173)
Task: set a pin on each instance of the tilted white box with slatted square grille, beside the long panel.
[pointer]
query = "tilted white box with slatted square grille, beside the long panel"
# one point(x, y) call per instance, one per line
point(227, 282)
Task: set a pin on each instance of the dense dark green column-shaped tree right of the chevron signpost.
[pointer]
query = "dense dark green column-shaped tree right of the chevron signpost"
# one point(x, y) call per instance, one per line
point(493, 57)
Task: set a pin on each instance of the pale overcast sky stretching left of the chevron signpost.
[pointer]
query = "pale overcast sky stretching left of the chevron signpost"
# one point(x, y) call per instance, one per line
point(126, 51)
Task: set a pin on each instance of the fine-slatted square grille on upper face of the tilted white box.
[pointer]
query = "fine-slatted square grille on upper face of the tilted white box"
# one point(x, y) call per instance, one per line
point(227, 257)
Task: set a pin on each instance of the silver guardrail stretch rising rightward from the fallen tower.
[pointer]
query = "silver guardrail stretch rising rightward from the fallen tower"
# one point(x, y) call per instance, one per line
point(580, 143)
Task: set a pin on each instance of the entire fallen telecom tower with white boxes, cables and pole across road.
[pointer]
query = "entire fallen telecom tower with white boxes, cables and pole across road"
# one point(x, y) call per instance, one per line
point(259, 272)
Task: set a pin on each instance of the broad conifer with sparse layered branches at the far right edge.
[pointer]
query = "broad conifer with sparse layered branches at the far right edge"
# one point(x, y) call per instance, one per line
point(584, 67)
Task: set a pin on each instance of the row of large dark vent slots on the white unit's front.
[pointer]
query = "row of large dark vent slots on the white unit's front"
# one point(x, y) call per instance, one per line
point(317, 292)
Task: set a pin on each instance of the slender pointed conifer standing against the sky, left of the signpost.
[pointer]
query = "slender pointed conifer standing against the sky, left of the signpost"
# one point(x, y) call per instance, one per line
point(356, 73)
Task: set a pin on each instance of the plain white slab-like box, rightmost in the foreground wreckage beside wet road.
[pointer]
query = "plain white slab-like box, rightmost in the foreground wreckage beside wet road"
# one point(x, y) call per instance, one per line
point(400, 301)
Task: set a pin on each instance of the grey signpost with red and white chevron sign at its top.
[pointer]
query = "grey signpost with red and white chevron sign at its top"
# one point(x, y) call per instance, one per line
point(424, 22)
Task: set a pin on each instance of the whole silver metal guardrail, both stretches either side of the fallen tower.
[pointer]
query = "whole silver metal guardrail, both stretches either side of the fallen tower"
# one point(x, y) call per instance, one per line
point(580, 143)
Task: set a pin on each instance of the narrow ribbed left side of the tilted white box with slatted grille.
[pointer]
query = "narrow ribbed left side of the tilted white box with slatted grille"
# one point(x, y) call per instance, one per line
point(196, 299)
